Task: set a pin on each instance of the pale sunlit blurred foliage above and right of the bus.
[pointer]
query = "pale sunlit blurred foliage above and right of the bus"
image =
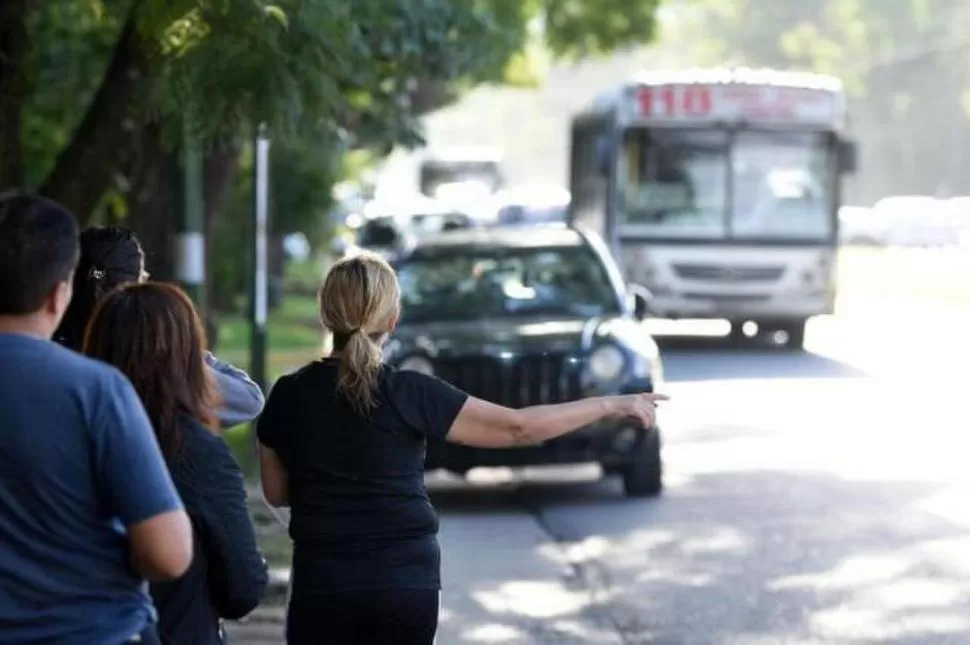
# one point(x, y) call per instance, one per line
point(901, 62)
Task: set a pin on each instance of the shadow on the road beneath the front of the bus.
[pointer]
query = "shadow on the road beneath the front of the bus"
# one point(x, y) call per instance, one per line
point(711, 358)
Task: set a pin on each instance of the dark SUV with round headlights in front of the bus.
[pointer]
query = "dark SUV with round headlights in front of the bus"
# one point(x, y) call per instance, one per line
point(532, 319)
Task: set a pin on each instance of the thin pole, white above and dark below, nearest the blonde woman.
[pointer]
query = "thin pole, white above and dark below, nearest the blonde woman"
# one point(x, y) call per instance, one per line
point(260, 283)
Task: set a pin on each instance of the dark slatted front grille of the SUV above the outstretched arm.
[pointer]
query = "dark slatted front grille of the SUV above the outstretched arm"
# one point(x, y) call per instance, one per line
point(515, 382)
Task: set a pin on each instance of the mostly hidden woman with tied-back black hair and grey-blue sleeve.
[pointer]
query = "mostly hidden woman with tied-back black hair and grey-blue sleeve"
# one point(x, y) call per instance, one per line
point(112, 256)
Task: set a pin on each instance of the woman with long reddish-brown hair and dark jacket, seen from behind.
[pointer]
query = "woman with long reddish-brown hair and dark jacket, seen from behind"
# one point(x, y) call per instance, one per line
point(152, 333)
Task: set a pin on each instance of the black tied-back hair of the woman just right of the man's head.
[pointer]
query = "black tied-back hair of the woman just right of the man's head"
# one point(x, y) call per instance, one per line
point(110, 256)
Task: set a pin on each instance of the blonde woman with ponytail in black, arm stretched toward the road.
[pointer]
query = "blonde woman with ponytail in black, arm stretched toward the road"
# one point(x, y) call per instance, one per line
point(342, 443)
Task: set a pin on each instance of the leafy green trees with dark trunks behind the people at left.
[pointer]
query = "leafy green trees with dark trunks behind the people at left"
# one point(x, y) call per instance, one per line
point(105, 89)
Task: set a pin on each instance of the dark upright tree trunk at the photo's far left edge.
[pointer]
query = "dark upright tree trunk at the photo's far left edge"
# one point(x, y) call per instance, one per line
point(13, 90)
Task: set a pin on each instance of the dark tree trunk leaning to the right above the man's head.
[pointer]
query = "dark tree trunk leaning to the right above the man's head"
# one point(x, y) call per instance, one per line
point(98, 150)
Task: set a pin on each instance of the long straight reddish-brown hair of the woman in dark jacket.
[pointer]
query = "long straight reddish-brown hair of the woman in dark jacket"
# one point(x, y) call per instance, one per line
point(152, 333)
